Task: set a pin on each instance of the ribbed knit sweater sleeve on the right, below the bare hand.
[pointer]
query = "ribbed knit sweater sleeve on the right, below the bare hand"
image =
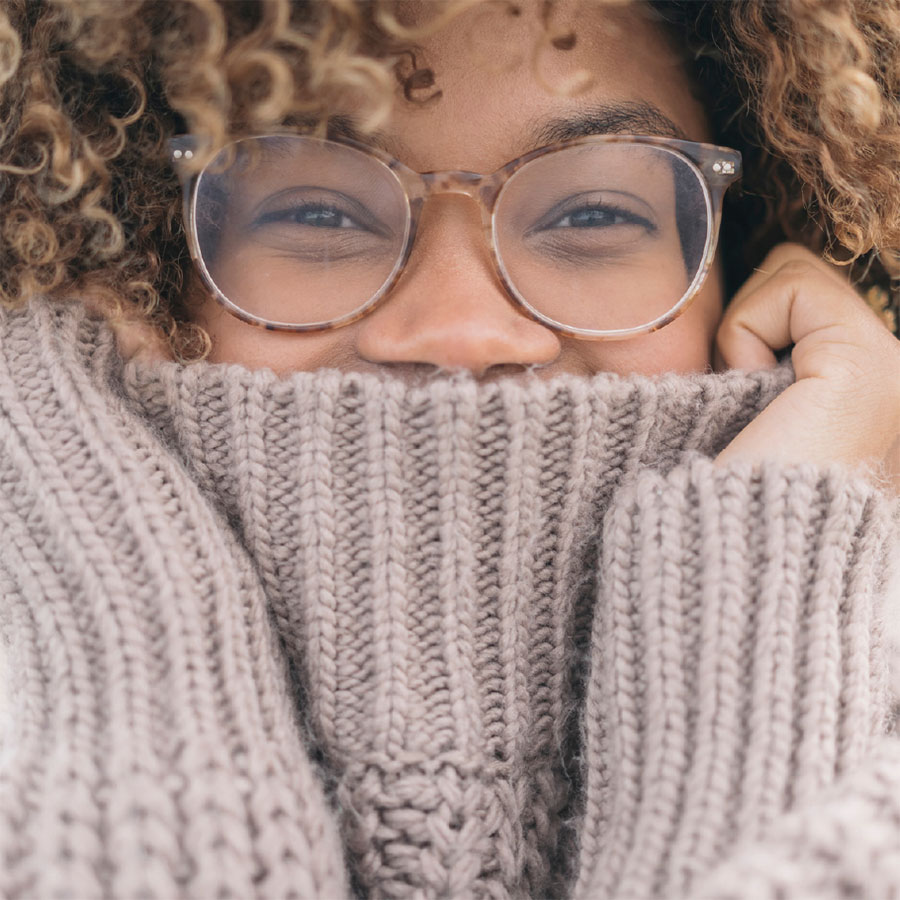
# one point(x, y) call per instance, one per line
point(737, 712)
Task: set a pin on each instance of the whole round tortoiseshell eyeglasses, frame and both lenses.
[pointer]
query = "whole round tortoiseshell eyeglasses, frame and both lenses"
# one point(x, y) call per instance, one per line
point(598, 238)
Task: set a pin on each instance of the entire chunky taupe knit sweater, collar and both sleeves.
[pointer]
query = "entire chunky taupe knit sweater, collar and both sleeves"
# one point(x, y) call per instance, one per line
point(332, 635)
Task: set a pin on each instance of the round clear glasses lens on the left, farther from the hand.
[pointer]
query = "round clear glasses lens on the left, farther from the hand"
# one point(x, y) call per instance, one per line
point(297, 230)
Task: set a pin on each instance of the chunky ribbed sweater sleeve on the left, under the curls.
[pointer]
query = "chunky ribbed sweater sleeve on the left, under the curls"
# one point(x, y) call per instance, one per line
point(149, 747)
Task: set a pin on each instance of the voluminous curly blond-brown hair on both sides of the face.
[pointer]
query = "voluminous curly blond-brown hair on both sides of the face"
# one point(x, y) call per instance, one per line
point(91, 91)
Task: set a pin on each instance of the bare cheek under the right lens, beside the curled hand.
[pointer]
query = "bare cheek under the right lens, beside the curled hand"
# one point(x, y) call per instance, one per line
point(684, 346)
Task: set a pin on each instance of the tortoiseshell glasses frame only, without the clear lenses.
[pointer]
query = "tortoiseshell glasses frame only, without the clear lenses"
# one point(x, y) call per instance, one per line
point(716, 168)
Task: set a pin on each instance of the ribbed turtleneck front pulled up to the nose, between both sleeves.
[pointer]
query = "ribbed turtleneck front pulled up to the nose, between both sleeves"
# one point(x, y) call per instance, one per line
point(429, 556)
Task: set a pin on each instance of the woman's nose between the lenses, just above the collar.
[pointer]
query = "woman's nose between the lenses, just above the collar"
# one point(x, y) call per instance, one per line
point(448, 309)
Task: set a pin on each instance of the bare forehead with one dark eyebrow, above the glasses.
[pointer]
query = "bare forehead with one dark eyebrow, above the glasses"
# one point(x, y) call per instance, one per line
point(504, 86)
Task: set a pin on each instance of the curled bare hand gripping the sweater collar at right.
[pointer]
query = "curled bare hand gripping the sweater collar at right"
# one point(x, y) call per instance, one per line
point(845, 403)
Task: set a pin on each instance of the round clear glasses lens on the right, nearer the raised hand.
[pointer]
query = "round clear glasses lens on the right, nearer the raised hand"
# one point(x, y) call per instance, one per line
point(603, 236)
